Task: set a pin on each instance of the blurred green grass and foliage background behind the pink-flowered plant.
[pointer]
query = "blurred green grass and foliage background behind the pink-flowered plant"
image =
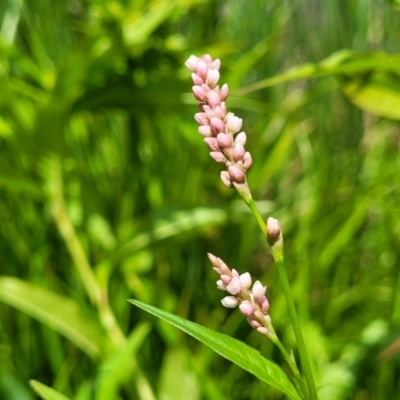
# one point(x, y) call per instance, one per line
point(108, 193)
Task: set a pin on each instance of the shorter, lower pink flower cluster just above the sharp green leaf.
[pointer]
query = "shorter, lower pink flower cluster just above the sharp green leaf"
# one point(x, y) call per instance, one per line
point(252, 303)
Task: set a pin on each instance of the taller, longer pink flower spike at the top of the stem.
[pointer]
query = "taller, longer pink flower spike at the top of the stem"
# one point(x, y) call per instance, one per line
point(216, 124)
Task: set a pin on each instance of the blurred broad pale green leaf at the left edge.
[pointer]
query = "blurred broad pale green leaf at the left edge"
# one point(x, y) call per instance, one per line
point(60, 313)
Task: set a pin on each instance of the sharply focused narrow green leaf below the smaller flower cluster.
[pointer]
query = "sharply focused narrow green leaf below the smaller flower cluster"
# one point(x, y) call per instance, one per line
point(238, 352)
